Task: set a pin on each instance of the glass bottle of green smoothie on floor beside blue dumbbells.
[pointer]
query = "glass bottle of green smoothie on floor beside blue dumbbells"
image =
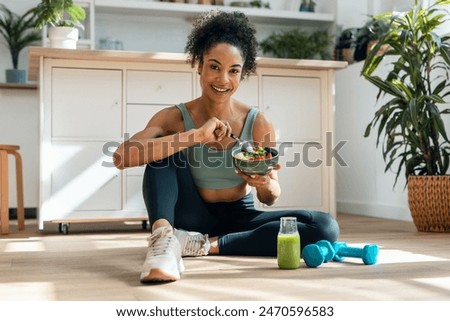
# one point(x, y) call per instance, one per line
point(288, 253)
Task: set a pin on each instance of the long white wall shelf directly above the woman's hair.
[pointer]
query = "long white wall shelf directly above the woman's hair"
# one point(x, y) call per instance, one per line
point(190, 11)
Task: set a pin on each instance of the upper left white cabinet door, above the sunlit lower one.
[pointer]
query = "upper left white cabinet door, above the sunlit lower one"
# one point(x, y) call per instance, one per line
point(86, 103)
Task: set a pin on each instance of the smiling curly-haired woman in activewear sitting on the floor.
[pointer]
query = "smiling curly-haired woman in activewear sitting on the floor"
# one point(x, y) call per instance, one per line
point(190, 183)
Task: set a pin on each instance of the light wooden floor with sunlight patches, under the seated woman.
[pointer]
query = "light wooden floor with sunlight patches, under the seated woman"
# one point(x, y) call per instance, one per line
point(103, 262)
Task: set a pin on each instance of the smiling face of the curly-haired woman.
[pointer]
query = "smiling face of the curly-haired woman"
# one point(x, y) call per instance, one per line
point(221, 71)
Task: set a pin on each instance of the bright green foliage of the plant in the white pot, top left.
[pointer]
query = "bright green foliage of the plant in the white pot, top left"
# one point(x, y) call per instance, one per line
point(59, 13)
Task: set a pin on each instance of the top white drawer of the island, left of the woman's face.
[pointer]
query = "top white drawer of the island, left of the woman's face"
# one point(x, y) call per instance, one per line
point(159, 87)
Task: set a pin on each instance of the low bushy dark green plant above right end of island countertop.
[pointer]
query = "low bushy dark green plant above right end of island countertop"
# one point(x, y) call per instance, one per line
point(298, 44)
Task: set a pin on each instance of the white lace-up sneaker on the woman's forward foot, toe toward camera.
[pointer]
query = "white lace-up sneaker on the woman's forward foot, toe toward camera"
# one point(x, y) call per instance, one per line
point(163, 262)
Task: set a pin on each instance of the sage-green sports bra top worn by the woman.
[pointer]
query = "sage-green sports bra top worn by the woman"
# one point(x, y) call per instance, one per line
point(211, 168)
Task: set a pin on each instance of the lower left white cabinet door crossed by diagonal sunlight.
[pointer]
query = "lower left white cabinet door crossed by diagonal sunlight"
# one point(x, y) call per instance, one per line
point(82, 179)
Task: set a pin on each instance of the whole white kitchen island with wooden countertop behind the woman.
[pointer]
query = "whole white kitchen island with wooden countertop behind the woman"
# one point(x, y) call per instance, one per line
point(92, 100)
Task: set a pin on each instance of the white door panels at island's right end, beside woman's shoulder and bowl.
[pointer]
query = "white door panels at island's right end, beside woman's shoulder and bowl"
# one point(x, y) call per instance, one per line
point(293, 104)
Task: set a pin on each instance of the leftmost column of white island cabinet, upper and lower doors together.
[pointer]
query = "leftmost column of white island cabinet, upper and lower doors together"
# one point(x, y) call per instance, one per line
point(82, 113)
